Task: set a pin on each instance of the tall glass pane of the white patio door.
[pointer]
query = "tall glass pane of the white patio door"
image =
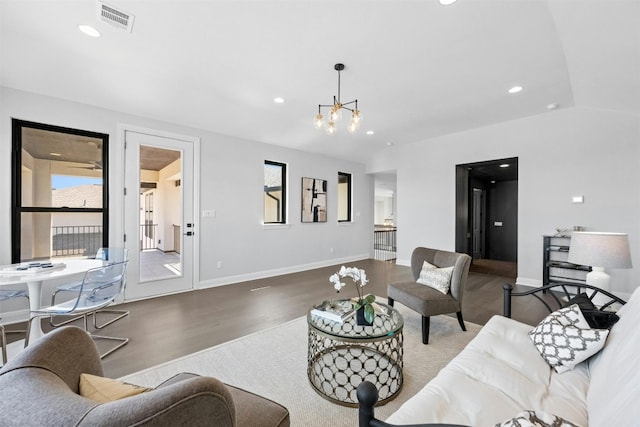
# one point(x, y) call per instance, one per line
point(160, 221)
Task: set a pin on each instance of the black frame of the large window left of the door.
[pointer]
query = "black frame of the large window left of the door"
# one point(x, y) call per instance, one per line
point(16, 182)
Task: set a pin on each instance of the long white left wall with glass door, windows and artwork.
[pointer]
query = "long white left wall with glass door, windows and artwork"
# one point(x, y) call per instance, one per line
point(232, 183)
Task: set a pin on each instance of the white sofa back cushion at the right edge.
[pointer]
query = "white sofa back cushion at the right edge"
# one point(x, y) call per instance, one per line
point(615, 377)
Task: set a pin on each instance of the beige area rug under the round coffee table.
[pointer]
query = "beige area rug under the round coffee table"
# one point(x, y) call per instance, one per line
point(273, 363)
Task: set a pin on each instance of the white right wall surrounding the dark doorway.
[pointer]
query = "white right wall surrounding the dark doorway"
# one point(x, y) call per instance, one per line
point(560, 154)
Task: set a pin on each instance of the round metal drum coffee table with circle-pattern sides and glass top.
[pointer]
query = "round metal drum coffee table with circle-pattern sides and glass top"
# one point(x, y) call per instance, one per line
point(343, 354)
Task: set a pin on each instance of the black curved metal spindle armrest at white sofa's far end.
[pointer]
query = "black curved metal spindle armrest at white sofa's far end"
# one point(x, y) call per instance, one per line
point(559, 290)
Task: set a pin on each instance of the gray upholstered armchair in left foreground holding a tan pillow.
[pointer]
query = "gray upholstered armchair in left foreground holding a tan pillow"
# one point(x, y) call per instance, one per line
point(40, 387)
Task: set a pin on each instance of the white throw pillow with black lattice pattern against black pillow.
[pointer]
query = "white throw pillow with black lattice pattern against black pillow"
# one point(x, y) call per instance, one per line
point(565, 339)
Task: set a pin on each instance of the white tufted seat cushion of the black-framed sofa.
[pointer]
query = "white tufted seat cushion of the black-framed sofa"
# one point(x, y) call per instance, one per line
point(498, 375)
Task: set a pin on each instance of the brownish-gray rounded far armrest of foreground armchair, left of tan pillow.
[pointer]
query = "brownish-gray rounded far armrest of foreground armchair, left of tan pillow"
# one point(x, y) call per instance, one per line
point(67, 352)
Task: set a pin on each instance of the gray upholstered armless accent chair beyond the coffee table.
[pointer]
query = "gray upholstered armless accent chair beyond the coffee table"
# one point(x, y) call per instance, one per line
point(428, 301)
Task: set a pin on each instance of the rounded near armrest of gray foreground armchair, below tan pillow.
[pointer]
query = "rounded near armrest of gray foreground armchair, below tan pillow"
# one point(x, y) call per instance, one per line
point(193, 401)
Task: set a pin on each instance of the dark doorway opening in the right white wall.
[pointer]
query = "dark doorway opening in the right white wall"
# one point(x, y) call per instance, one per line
point(487, 215)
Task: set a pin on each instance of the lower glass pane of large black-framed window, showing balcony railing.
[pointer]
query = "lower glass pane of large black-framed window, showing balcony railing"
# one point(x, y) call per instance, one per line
point(45, 235)
